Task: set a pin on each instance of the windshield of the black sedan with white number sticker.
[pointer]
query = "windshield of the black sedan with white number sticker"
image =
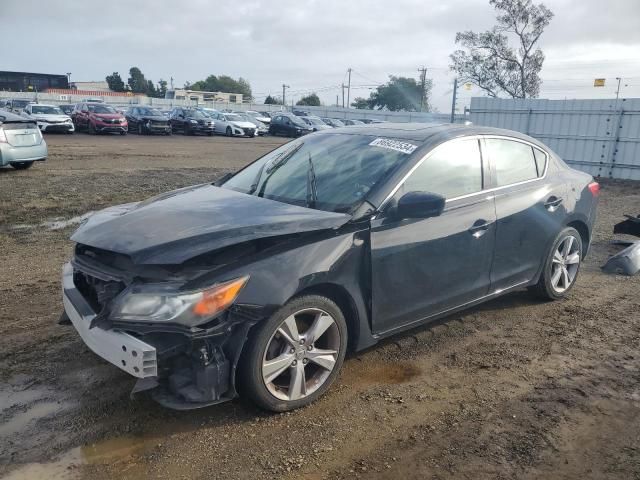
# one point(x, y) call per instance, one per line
point(346, 167)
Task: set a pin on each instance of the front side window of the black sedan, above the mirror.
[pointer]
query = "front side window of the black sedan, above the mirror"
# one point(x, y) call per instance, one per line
point(454, 169)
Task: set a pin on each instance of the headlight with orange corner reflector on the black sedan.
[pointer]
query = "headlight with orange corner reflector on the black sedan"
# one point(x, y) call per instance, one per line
point(190, 309)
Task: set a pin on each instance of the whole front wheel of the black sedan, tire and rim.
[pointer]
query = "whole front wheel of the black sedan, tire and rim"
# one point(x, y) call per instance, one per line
point(293, 358)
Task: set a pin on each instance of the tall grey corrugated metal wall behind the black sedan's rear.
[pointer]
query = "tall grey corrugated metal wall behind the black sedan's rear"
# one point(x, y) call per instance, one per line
point(600, 137)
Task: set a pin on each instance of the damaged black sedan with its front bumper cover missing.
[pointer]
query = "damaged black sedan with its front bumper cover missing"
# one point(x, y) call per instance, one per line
point(261, 282)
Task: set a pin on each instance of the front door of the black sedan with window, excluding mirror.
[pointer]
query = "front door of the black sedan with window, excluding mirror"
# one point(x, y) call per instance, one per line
point(422, 267)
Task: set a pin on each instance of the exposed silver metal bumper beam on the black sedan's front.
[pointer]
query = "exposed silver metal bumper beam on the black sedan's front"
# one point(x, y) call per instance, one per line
point(125, 351)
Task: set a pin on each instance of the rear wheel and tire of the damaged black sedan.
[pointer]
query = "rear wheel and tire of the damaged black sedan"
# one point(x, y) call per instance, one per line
point(561, 267)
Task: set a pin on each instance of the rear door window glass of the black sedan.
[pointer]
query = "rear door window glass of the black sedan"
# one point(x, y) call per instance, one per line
point(513, 161)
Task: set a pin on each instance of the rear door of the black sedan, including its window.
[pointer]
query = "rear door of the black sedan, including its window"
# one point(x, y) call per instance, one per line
point(529, 209)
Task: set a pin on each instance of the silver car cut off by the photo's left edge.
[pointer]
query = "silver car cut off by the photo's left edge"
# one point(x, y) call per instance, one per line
point(21, 141)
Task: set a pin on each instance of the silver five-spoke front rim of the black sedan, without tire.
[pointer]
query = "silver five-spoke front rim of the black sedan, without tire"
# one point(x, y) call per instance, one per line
point(301, 354)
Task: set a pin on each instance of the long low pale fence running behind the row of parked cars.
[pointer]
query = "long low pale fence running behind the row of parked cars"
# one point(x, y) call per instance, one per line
point(162, 103)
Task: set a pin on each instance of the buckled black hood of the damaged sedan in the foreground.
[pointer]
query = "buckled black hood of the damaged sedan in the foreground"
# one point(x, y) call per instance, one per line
point(179, 225)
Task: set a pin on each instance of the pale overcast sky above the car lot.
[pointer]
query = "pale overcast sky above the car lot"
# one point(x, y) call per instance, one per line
point(309, 44)
